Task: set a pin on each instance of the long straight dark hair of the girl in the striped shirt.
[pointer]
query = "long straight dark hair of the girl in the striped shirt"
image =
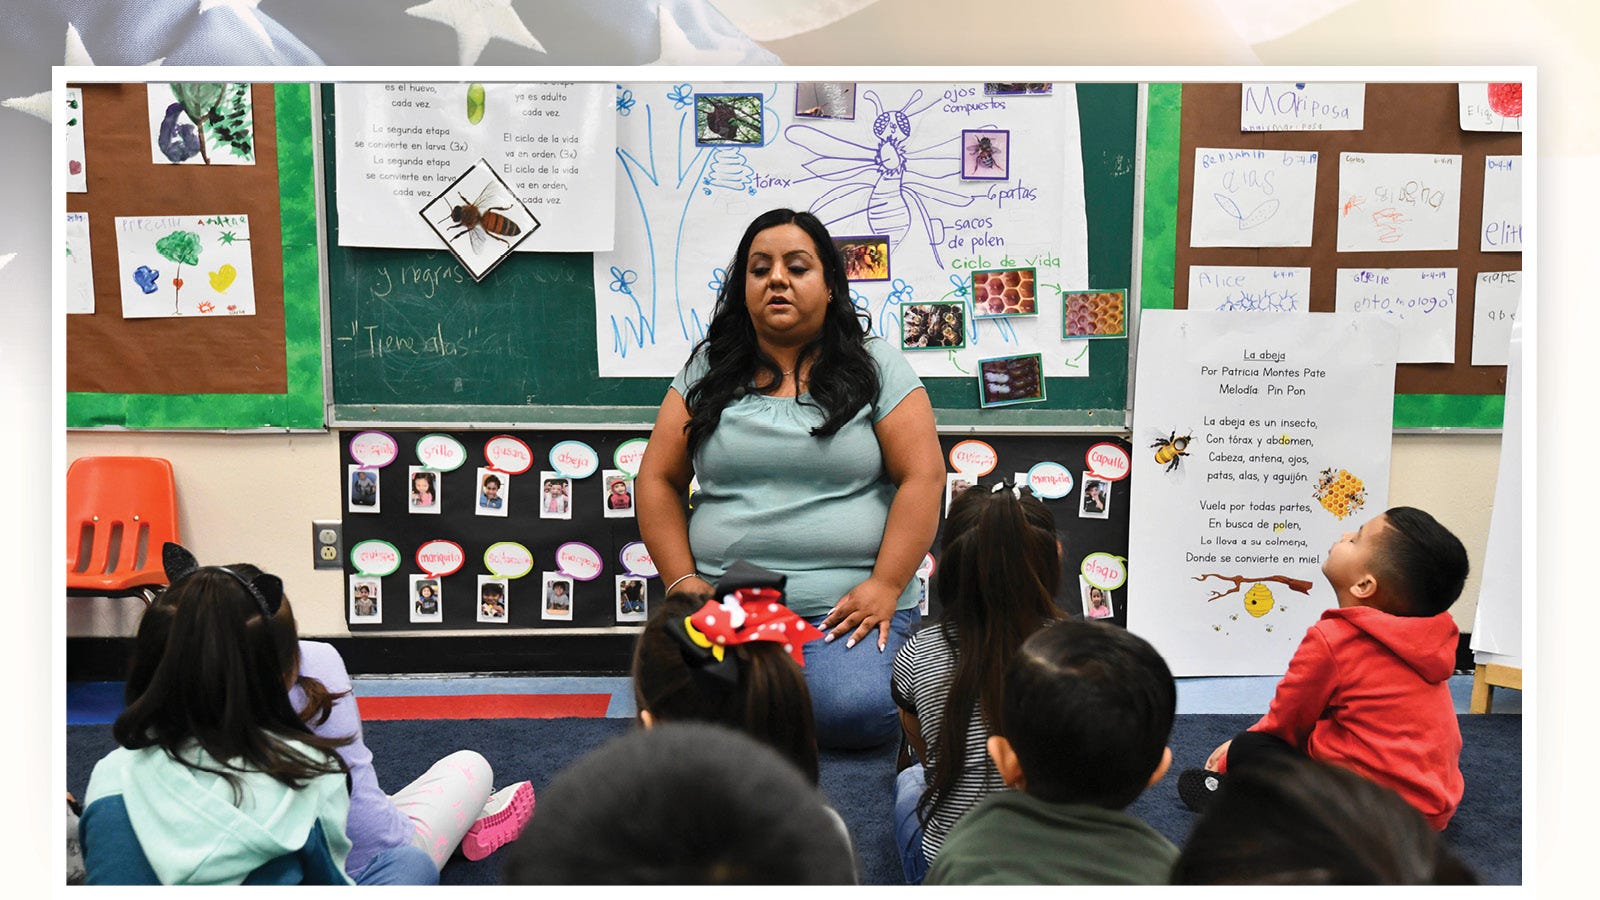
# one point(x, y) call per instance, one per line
point(999, 569)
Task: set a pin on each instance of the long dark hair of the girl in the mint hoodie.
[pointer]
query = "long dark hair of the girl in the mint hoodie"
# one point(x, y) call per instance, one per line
point(207, 670)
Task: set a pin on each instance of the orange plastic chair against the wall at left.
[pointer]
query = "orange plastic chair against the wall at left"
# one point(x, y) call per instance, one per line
point(119, 513)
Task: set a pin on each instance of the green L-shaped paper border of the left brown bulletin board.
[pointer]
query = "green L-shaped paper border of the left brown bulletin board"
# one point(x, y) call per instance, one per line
point(303, 406)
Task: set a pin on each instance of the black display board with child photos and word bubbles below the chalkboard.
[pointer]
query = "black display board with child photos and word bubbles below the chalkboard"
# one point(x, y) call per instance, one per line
point(594, 601)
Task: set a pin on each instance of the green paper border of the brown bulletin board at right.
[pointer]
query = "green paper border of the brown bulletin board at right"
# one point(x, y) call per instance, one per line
point(1162, 140)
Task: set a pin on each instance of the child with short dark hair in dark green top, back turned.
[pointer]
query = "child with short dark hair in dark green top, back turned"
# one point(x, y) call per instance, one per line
point(1084, 721)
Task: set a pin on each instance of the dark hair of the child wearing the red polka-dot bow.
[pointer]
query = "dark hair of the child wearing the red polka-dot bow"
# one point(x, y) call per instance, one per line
point(770, 704)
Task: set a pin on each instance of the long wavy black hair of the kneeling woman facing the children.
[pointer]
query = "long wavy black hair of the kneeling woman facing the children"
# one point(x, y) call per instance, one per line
point(844, 377)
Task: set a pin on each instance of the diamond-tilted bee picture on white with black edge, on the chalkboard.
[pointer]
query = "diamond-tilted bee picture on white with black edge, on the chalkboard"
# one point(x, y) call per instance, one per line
point(479, 220)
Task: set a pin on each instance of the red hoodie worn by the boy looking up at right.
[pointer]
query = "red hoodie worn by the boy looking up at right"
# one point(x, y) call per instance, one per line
point(1369, 691)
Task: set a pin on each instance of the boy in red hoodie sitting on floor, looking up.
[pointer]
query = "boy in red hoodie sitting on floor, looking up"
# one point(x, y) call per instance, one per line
point(1369, 686)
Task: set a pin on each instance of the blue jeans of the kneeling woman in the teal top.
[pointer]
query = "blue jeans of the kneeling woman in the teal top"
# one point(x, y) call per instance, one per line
point(850, 689)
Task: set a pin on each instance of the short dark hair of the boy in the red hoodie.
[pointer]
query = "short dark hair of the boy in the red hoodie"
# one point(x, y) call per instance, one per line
point(1422, 560)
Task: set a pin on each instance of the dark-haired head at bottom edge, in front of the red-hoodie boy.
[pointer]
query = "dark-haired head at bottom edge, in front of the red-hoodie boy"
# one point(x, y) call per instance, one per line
point(1297, 821)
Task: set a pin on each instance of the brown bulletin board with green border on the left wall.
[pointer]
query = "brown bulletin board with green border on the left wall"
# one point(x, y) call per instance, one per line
point(201, 372)
